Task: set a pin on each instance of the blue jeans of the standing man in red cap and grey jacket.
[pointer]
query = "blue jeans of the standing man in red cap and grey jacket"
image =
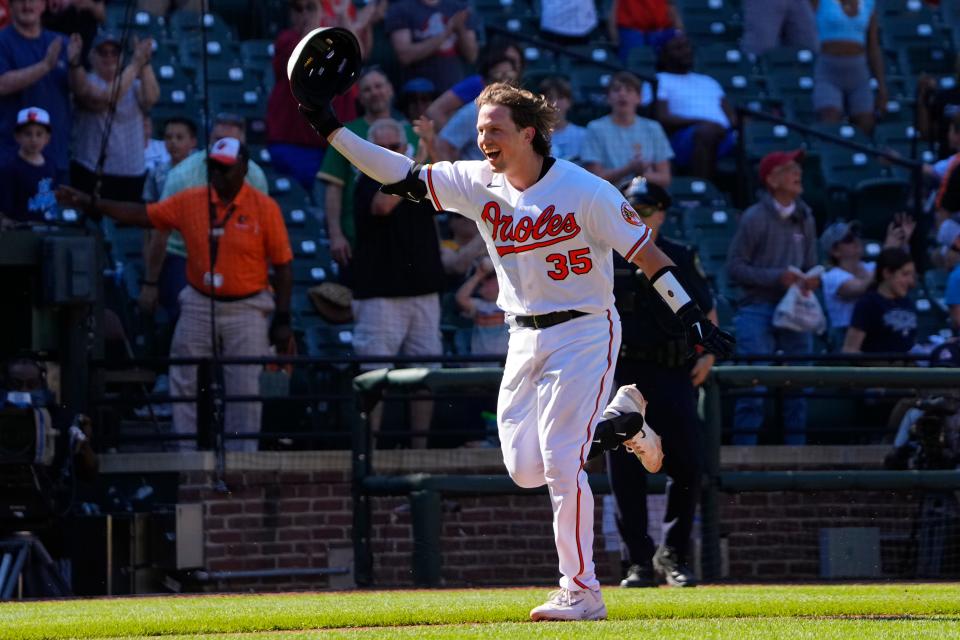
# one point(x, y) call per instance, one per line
point(757, 335)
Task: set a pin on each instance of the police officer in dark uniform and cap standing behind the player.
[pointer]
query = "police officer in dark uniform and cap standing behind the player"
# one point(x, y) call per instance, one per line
point(655, 356)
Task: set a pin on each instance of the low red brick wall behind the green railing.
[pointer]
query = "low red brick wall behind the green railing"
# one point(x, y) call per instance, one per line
point(293, 518)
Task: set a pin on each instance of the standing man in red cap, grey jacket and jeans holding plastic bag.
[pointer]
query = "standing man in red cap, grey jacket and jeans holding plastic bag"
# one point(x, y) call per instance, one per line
point(774, 245)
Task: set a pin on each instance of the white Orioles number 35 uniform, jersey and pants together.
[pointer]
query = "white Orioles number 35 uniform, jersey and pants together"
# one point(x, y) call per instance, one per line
point(551, 245)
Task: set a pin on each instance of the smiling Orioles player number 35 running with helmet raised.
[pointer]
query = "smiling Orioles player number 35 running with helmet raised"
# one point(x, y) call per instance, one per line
point(550, 228)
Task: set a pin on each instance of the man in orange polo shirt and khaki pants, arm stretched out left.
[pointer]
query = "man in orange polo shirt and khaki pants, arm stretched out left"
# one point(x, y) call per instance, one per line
point(248, 237)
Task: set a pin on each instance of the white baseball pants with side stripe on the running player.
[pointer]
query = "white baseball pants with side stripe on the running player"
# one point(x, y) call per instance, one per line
point(556, 383)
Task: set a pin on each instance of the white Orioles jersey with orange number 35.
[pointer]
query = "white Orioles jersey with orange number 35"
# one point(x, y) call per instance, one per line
point(551, 244)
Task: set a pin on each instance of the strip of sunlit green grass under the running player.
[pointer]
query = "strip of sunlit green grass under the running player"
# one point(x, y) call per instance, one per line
point(741, 613)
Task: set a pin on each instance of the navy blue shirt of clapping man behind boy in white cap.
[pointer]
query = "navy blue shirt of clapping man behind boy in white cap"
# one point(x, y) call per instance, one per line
point(51, 92)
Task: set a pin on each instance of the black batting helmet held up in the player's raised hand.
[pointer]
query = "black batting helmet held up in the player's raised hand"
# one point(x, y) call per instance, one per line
point(324, 65)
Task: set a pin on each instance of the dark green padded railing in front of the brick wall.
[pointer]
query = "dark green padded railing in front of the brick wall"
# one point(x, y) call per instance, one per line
point(425, 491)
